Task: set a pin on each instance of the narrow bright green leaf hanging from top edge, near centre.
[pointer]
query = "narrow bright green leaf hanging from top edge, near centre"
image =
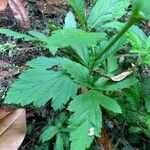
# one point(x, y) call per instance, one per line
point(78, 6)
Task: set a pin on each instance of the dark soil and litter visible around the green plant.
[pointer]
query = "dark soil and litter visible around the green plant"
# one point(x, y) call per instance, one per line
point(22, 52)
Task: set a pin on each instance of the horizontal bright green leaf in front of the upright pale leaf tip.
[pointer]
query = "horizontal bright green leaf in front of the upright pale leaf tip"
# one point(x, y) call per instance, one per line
point(76, 38)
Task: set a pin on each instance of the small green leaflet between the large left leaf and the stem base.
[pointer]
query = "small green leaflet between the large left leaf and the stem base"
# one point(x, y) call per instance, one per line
point(79, 73)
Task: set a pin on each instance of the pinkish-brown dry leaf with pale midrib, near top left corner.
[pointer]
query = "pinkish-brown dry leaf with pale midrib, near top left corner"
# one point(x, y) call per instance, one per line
point(19, 12)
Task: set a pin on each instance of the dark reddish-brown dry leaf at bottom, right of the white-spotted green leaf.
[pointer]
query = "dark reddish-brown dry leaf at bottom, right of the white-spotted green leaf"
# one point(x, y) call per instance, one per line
point(104, 140)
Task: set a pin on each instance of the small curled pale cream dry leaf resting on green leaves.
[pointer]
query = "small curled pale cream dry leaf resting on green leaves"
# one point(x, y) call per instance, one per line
point(121, 76)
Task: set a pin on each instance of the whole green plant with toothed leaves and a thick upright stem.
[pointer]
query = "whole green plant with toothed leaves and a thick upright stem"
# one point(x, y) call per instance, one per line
point(80, 83)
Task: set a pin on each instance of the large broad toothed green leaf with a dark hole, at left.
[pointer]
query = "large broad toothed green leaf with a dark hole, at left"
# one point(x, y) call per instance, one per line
point(39, 84)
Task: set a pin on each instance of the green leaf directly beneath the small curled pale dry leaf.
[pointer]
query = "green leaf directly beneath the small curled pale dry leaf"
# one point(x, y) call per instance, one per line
point(105, 84)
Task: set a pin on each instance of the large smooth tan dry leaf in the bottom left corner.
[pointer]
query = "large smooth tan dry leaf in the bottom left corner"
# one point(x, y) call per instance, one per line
point(12, 129)
